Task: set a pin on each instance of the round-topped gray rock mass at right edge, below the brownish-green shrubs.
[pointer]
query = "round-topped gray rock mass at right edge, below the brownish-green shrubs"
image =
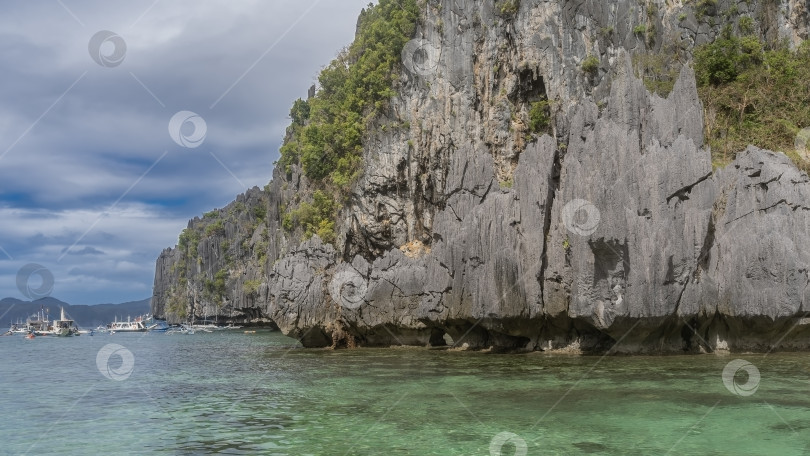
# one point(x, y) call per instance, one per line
point(750, 290)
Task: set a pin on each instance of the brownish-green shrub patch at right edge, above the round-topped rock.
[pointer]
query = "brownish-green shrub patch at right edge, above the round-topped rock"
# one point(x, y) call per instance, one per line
point(753, 94)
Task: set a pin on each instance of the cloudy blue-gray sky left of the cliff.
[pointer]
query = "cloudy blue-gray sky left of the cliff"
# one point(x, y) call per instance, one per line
point(92, 184)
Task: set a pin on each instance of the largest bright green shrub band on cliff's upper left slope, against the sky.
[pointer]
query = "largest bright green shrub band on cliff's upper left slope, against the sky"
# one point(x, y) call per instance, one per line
point(327, 131)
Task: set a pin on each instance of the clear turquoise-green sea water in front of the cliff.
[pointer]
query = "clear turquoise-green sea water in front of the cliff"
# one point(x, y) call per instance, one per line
point(234, 393)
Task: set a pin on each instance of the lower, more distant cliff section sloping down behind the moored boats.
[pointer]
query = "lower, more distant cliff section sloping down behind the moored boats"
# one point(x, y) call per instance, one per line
point(240, 239)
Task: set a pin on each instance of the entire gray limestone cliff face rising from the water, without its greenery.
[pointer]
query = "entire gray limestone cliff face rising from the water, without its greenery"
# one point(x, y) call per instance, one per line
point(608, 230)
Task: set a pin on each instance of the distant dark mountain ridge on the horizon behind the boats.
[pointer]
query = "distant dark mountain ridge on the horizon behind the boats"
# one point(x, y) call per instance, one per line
point(85, 316)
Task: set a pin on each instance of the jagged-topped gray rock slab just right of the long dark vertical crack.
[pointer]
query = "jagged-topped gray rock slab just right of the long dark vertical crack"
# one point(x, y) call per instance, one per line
point(632, 211)
